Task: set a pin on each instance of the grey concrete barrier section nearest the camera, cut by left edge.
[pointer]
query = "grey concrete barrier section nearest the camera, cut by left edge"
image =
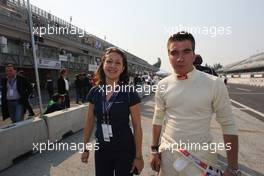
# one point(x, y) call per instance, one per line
point(18, 139)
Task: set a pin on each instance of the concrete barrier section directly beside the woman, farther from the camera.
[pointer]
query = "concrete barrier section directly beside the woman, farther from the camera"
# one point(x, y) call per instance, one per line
point(64, 121)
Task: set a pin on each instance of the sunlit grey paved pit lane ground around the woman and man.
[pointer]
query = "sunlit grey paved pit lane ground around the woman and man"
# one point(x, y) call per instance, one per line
point(67, 162)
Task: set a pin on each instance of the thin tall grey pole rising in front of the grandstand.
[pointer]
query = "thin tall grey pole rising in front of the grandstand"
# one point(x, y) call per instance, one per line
point(34, 54)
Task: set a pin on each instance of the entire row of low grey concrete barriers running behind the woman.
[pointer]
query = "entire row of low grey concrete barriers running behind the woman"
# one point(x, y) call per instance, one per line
point(18, 139)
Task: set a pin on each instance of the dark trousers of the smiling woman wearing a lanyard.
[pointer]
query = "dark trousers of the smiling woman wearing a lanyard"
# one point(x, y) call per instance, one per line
point(107, 163)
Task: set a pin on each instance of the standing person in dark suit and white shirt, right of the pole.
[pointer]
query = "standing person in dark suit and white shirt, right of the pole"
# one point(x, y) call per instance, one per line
point(63, 86)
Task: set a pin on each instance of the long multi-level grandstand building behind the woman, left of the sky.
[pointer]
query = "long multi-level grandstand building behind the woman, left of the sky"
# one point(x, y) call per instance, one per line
point(79, 52)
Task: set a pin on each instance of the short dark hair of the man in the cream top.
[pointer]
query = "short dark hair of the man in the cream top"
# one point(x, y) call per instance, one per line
point(181, 36)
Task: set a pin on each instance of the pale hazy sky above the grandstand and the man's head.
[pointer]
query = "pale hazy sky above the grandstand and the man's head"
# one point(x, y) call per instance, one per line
point(225, 31)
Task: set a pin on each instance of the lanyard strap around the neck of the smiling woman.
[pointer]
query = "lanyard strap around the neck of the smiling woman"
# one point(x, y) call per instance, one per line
point(106, 106)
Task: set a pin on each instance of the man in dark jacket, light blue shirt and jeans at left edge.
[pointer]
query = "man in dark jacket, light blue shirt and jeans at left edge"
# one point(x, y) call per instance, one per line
point(15, 92)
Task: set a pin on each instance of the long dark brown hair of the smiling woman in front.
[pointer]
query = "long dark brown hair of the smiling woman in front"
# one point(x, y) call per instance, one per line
point(100, 75)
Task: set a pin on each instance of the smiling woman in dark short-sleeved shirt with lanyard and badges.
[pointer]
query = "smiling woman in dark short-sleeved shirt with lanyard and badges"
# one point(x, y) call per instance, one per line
point(120, 151)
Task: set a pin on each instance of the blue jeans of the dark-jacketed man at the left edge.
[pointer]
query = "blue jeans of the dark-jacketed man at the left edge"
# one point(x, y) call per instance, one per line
point(16, 111)
